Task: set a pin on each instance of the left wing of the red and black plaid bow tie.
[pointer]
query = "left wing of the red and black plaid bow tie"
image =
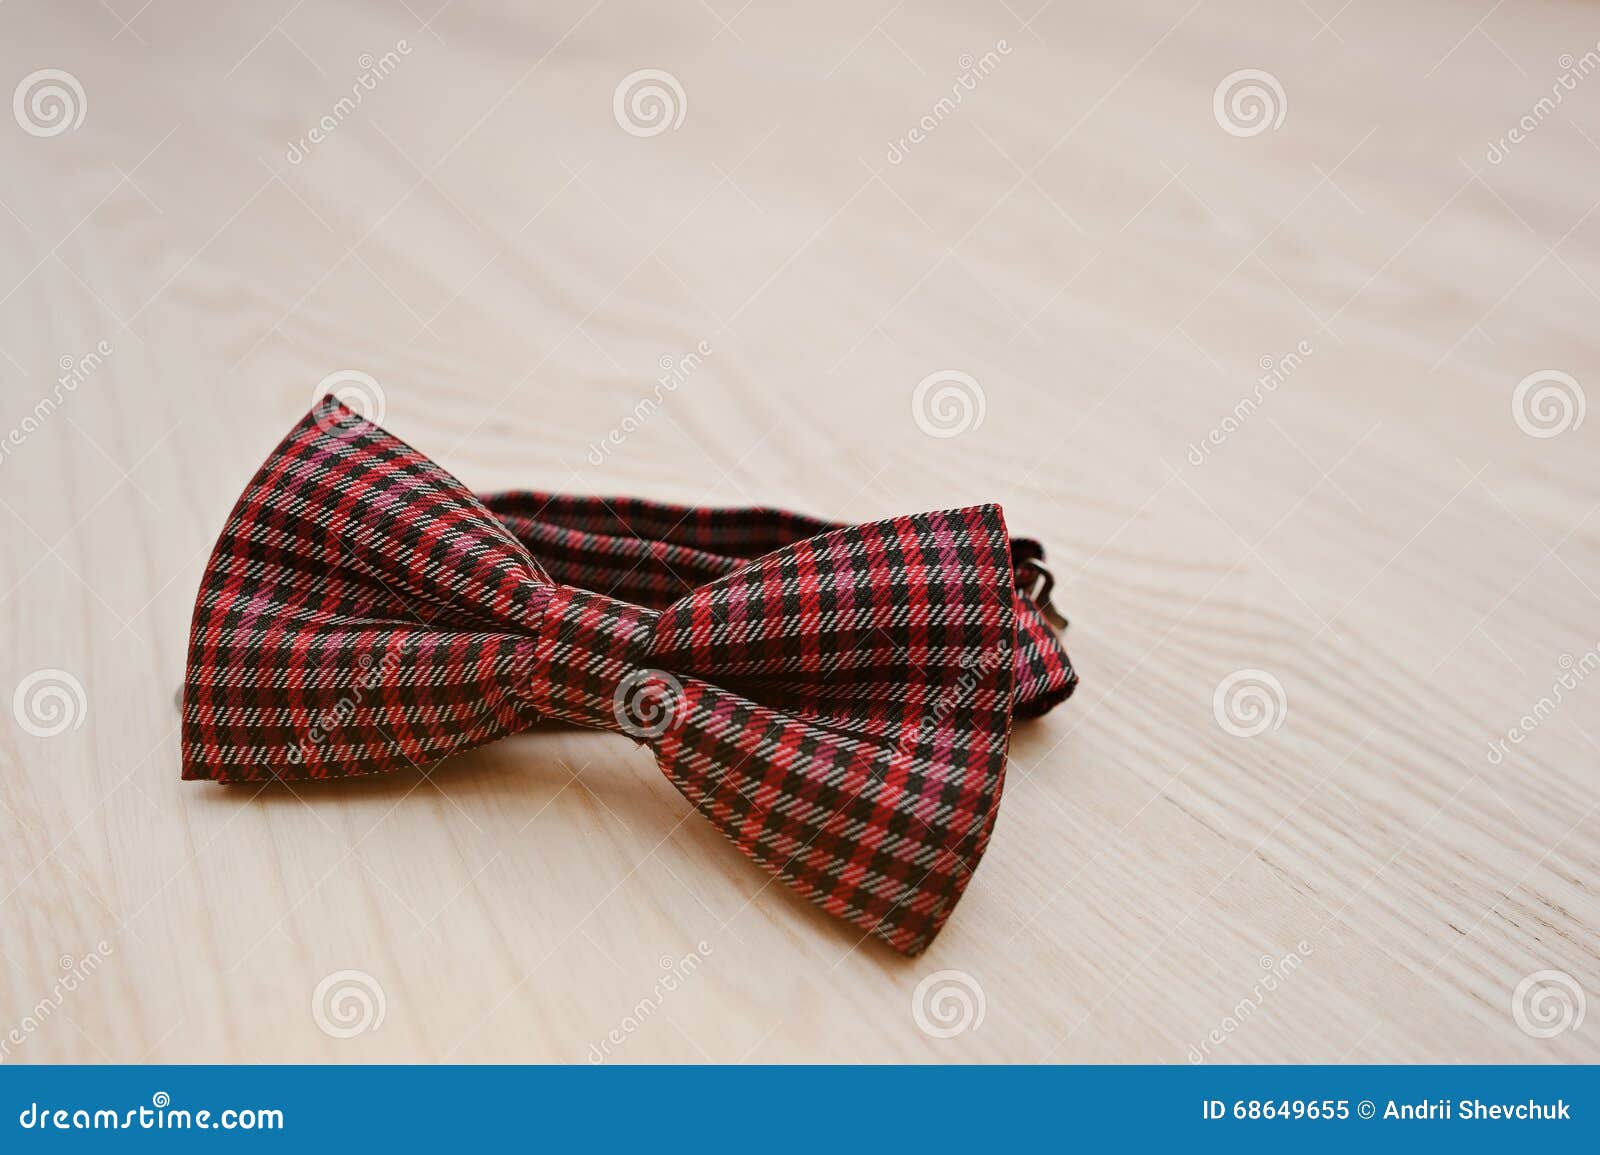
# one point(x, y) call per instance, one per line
point(361, 613)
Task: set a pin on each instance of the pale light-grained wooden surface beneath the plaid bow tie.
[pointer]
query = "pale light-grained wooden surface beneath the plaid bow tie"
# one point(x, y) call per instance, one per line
point(1079, 234)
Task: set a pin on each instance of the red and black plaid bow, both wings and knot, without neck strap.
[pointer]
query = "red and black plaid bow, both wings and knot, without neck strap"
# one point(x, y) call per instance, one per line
point(838, 706)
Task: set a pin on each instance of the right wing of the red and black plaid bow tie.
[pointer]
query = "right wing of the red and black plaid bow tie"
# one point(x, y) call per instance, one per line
point(844, 709)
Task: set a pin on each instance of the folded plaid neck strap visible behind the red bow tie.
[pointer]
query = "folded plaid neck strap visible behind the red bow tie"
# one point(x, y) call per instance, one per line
point(654, 553)
